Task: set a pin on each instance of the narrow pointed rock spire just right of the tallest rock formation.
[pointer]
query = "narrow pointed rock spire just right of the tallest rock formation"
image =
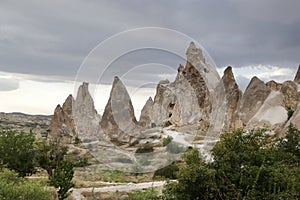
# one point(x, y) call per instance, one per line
point(233, 96)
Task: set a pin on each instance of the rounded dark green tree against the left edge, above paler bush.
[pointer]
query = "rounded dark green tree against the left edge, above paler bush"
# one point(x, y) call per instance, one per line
point(17, 151)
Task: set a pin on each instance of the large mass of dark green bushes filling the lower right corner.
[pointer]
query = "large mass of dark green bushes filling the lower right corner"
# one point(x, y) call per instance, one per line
point(246, 165)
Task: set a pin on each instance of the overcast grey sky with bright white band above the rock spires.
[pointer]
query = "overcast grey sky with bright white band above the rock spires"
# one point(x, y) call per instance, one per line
point(45, 46)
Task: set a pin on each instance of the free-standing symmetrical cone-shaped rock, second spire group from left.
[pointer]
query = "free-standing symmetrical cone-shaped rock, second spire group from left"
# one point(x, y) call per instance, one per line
point(118, 120)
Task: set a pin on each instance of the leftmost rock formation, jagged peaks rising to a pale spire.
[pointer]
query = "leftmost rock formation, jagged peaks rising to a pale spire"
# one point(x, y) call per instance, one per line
point(76, 118)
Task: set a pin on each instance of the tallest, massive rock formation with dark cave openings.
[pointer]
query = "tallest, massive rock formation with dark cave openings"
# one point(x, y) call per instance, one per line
point(188, 99)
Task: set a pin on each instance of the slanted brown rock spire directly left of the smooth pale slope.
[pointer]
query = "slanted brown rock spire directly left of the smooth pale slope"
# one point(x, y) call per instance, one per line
point(253, 98)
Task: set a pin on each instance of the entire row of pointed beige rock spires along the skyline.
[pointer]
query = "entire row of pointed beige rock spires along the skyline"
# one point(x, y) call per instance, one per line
point(197, 98)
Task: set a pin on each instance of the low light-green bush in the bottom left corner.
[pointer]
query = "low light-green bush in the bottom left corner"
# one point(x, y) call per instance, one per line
point(13, 187)
